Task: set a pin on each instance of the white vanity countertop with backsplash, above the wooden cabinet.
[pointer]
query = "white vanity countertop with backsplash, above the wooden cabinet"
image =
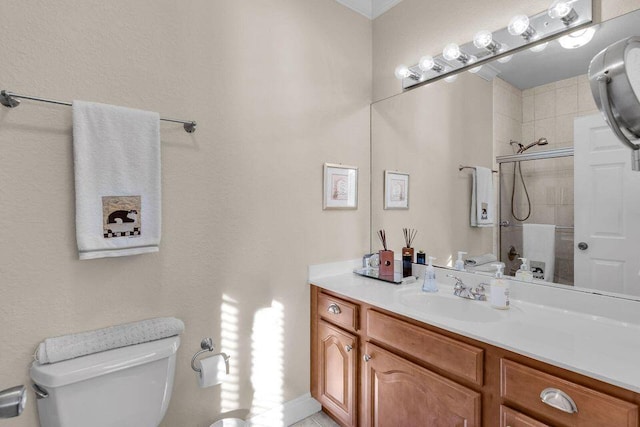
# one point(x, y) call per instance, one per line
point(594, 335)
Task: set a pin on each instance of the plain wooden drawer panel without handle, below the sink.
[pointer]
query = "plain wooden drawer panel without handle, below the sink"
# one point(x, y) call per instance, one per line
point(448, 354)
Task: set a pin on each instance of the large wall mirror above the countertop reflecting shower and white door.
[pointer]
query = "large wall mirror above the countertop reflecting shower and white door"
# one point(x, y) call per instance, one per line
point(573, 174)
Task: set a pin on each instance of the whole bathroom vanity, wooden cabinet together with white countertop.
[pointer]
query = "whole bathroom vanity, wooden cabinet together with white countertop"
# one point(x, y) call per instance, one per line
point(386, 355)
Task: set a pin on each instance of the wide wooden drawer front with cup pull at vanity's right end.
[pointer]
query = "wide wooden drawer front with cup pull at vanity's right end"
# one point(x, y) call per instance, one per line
point(523, 386)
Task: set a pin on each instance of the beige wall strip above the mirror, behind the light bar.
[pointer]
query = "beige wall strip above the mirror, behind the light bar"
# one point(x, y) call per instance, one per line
point(414, 28)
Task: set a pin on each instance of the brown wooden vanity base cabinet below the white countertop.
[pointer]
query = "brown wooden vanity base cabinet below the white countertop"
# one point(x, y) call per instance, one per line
point(400, 372)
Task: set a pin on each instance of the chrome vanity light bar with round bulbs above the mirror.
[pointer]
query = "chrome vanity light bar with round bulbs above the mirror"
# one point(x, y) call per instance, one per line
point(562, 17)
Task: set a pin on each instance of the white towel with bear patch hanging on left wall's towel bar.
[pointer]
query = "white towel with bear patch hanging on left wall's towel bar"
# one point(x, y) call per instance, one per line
point(117, 174)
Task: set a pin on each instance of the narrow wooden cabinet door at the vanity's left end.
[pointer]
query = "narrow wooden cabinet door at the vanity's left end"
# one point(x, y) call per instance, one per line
point(337, 372)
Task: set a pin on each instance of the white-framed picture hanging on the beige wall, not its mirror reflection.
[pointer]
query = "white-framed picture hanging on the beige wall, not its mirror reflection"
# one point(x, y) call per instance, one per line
point(340, 187)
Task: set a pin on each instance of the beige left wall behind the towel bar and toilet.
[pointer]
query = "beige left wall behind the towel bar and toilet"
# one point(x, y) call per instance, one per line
point(272, 86)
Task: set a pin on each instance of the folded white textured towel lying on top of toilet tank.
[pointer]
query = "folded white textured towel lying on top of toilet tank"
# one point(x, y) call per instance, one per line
point(71, 346)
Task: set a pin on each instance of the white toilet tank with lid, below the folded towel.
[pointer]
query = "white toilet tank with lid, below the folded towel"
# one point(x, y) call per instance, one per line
point(124, 387)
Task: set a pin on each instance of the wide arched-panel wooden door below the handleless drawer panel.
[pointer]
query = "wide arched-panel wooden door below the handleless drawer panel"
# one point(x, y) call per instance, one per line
point(399, 393)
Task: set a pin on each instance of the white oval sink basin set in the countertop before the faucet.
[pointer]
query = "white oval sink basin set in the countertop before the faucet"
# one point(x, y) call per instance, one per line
point(449, 306)
